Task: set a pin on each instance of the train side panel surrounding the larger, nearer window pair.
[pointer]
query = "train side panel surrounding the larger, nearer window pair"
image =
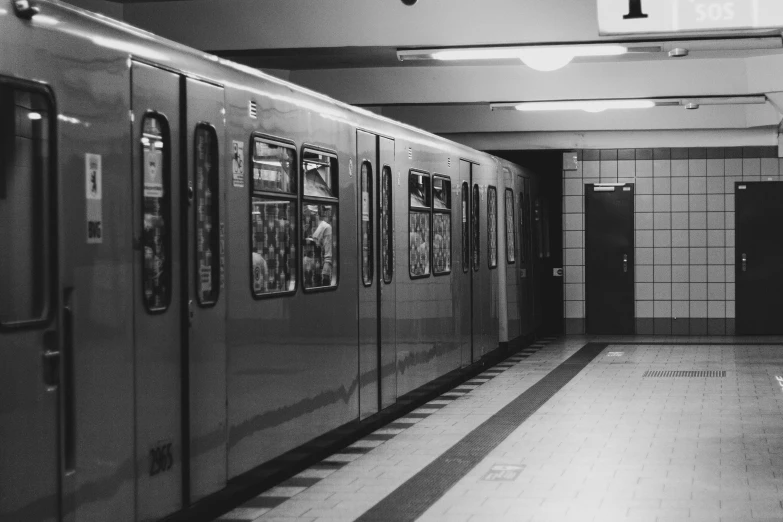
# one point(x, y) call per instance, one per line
point(292, 359)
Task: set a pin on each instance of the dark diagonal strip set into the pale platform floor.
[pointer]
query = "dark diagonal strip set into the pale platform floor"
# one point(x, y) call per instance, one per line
point(414, 497)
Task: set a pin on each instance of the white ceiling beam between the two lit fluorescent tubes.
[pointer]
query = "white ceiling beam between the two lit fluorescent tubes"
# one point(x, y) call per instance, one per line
point(471, 84)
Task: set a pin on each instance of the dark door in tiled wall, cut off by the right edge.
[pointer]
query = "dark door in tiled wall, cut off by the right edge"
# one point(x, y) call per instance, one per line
point(759, 258)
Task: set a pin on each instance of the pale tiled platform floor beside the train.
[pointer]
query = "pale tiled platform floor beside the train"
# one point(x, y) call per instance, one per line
point(610, 445)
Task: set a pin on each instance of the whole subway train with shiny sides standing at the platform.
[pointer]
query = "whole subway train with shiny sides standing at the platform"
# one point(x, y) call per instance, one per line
point(203, 267)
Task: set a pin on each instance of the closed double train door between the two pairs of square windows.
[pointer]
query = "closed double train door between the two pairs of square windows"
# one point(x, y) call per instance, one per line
point(377, 308)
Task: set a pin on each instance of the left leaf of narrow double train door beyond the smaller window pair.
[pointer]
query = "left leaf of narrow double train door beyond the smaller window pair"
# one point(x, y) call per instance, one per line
point(464, 273)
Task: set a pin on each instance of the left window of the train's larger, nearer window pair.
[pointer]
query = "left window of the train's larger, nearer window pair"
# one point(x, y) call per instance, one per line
point(273, 218)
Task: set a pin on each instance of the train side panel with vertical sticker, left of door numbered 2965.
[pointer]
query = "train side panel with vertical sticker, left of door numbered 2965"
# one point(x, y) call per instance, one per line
point(90, 85)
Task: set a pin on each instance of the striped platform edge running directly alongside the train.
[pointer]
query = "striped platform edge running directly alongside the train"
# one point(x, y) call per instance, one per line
point(277, 495)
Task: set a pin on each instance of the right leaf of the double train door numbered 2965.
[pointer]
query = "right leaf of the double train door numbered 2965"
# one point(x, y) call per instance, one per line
point(204, 277)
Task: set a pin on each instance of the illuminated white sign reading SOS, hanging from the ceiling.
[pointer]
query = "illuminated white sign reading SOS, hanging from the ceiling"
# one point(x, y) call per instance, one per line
point(616, 17)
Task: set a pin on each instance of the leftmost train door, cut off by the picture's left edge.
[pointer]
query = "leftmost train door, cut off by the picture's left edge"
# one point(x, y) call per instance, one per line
point(31, 319)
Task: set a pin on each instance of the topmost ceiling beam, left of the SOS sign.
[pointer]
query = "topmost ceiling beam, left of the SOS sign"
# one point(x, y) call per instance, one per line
point(282, 24)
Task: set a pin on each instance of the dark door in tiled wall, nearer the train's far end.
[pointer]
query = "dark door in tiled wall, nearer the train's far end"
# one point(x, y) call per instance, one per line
point(609, 258)
